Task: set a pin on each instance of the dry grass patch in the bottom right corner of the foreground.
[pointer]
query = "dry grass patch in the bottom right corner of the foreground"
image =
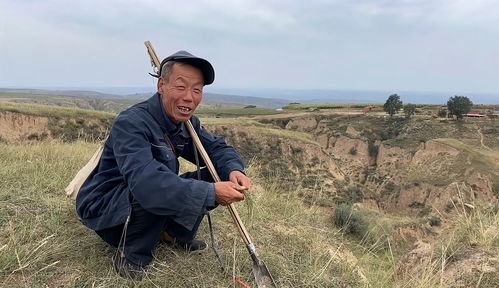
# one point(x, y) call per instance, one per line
point(472, 237)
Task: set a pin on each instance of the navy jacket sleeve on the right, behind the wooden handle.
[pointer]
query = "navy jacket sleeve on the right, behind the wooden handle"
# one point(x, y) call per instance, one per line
point(224, 157)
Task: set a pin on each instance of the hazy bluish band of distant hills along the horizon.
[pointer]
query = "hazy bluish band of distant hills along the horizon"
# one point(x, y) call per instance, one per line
point(271, 98)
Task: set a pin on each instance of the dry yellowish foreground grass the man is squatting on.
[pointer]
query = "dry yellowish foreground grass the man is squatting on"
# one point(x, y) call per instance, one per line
point(43, 244)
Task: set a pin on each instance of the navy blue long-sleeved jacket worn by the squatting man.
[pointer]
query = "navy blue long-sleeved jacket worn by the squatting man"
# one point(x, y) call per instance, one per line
point(140, 161)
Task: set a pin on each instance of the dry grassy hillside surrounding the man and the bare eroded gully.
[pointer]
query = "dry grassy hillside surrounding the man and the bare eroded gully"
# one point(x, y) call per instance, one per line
point(305, 240)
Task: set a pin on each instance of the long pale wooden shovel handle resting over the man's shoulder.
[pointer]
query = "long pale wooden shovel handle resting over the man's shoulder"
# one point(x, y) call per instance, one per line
point(235, 216)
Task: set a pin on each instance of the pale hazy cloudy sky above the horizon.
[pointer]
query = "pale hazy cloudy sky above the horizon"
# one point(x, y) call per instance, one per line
point(421, 45)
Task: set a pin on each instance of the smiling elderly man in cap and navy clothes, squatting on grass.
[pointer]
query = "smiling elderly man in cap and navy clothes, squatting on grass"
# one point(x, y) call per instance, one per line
point(135, 197)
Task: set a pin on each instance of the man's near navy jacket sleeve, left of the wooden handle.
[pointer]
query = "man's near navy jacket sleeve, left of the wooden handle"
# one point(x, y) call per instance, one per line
point(155, 186)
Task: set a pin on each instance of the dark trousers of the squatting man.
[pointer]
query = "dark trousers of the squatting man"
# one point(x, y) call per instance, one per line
point(143, 231)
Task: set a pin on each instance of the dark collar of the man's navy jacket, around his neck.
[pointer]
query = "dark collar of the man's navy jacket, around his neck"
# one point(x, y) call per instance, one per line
point(155, 107)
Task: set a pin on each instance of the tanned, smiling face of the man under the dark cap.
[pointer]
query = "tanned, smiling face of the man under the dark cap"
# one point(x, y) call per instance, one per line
point(182, 93)
